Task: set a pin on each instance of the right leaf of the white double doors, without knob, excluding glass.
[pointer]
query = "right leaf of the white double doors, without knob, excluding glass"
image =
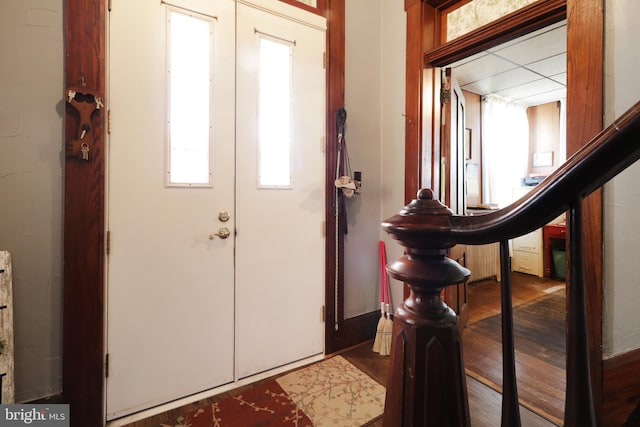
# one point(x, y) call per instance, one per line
point(280, 246)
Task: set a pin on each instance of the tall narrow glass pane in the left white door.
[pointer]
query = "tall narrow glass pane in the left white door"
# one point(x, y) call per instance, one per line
point(190, 41)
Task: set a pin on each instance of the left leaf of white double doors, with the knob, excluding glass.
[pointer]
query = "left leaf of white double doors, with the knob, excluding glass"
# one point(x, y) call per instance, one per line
point(170, 296)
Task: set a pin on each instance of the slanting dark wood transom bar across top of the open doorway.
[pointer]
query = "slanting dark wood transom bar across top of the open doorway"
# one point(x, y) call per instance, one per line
point(529, 18)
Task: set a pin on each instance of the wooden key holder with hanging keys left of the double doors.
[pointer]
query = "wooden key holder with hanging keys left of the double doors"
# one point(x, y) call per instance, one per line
point(86, 103)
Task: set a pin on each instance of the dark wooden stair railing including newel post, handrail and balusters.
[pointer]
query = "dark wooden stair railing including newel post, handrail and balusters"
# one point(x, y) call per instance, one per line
point(426, 384)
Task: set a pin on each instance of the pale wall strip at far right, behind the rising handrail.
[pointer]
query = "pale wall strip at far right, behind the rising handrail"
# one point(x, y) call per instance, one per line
point(622, 195)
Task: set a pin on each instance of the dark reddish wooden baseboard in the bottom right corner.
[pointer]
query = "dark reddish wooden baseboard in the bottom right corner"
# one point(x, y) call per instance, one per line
point(621, 387)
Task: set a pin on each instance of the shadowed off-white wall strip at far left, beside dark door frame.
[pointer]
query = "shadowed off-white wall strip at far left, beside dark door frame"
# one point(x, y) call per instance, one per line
point(31, 186)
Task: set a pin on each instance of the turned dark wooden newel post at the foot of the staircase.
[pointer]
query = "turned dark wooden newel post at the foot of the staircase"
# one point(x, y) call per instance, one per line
point(426, 383)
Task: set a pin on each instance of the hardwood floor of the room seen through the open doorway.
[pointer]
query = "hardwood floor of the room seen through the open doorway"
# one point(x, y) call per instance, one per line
point(539, 329)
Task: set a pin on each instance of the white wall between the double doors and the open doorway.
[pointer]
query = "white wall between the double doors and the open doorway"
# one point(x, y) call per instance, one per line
point(374, 98)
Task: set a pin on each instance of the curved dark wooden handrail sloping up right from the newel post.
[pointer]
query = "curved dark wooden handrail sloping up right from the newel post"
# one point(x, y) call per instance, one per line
point(605, 156)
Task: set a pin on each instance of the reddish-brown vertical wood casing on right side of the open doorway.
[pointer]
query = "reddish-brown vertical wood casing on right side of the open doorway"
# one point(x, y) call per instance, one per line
point(585, 111)
